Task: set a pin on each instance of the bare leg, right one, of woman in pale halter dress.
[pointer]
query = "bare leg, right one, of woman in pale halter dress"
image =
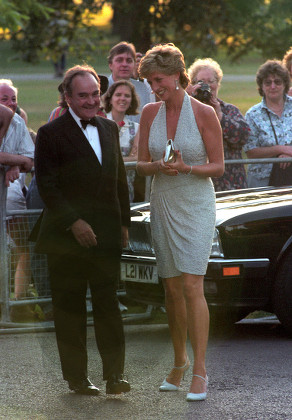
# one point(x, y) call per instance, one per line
point(198, 326)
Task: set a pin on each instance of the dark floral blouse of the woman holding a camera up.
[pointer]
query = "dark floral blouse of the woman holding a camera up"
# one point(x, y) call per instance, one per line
point(235, 134)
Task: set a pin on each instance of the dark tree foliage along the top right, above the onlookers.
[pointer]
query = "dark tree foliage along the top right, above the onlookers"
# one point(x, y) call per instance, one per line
point(202, 26)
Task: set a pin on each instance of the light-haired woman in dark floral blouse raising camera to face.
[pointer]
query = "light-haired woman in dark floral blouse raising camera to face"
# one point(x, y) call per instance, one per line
point(234, 127)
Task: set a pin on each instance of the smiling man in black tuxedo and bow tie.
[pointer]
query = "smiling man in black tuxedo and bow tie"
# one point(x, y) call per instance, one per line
point(81, 179)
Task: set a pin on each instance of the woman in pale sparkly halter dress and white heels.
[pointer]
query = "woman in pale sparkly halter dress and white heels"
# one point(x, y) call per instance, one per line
point(182, 204)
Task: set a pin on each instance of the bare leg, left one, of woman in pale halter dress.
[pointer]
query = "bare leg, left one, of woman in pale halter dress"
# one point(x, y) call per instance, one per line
point(177, 321)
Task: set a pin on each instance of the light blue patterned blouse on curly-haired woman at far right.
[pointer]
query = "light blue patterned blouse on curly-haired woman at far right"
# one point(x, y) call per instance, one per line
point(262, 134)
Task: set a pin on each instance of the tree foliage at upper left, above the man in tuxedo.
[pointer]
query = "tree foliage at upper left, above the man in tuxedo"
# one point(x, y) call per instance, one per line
point(66, 26)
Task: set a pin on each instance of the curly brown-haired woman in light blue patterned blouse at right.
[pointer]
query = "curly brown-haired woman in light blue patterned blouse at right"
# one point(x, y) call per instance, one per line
point(270, 122)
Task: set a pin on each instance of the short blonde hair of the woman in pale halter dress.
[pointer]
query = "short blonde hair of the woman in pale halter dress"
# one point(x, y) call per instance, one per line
point(166, 59)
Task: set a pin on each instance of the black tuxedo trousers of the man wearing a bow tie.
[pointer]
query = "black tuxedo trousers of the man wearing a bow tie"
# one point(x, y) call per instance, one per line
point(70, 276)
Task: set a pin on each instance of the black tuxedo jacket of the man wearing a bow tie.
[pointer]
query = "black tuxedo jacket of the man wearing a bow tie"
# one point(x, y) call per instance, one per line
point(74, 185)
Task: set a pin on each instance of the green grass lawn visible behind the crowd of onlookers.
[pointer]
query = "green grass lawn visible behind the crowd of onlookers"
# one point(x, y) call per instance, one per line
point(39, 97)
